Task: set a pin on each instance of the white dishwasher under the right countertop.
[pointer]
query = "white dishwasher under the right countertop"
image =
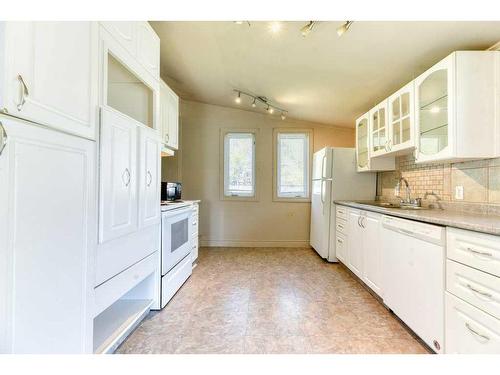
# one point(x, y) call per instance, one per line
point(413, 262)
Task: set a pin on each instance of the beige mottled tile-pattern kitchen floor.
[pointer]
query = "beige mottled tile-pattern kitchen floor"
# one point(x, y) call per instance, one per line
point(270, 300)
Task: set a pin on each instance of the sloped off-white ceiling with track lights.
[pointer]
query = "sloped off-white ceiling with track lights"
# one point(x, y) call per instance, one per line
point(322, 77)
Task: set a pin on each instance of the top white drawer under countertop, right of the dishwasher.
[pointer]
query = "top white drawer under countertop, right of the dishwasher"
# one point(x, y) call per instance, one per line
point(477, 250)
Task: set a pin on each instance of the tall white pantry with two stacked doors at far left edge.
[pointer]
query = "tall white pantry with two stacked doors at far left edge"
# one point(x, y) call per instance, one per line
point(48, 87)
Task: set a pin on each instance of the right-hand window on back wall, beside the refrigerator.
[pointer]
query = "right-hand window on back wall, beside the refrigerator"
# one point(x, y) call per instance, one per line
point(292, 164)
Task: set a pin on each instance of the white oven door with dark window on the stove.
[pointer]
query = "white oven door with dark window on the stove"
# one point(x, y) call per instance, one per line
point(175, 237)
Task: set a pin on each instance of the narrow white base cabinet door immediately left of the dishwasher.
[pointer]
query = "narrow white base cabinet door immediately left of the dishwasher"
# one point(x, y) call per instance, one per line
point(371, 253)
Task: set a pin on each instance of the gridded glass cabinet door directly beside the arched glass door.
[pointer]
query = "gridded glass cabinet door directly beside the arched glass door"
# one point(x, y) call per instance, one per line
point(401, 119)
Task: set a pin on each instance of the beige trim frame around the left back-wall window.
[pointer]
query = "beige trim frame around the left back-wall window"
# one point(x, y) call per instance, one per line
point(223, 166)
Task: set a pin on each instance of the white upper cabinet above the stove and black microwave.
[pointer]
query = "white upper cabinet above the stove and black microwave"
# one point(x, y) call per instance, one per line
point(169, 115)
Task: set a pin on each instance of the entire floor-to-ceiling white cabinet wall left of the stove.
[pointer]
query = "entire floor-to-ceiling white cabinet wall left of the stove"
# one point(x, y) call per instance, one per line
point(78, 125)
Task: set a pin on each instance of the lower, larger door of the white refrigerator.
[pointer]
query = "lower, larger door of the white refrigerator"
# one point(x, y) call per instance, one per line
point(320, 216)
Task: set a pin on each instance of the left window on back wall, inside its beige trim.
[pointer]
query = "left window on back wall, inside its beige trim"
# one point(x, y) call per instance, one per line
point(239, 164)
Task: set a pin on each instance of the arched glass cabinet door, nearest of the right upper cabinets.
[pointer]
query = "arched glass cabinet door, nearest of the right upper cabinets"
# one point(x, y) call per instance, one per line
point(432, 90)
